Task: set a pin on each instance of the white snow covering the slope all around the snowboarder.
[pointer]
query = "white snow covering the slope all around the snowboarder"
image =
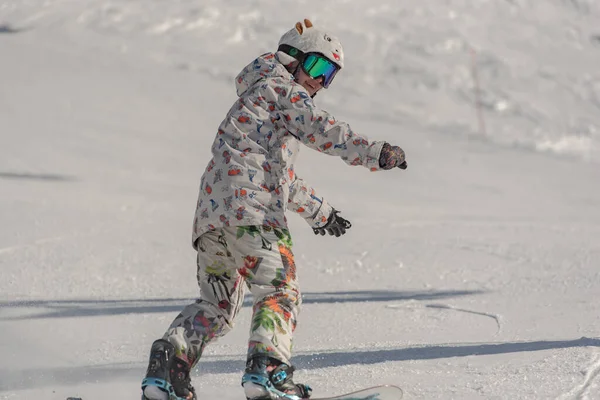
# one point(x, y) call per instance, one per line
point(474, 274)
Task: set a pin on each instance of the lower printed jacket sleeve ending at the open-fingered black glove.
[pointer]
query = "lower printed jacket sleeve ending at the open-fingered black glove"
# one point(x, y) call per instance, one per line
point(304, 201)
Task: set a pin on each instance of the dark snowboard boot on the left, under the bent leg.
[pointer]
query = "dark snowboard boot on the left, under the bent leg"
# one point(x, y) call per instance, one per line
point(167, 377)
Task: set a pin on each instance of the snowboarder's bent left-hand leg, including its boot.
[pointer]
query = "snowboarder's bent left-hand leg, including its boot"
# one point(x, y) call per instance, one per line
point(211, 316)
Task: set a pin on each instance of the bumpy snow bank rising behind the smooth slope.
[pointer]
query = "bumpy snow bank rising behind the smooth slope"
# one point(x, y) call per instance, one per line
point(535, 61)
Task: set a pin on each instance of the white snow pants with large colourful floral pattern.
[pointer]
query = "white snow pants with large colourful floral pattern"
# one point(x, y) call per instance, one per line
point(230, 260)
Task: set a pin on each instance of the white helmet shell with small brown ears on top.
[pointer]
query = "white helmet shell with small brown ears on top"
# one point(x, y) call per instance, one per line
point(307, 39)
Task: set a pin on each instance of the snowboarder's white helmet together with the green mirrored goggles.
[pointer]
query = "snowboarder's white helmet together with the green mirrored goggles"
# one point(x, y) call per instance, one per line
point(316, 52)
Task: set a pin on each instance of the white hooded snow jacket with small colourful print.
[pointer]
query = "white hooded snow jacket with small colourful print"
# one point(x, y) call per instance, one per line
point(250, 179)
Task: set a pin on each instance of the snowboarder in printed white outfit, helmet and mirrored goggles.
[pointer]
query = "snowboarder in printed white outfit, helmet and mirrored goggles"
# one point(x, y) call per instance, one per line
point(240, 229)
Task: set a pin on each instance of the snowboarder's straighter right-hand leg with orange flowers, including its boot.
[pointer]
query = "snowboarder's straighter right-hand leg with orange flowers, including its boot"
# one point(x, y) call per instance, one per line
point(264, 257)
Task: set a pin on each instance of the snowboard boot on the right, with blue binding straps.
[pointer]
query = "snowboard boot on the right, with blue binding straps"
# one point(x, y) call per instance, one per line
point(269, 379)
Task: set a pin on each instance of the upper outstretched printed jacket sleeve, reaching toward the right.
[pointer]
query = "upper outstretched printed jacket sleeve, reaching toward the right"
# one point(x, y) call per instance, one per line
point(320, 131)
